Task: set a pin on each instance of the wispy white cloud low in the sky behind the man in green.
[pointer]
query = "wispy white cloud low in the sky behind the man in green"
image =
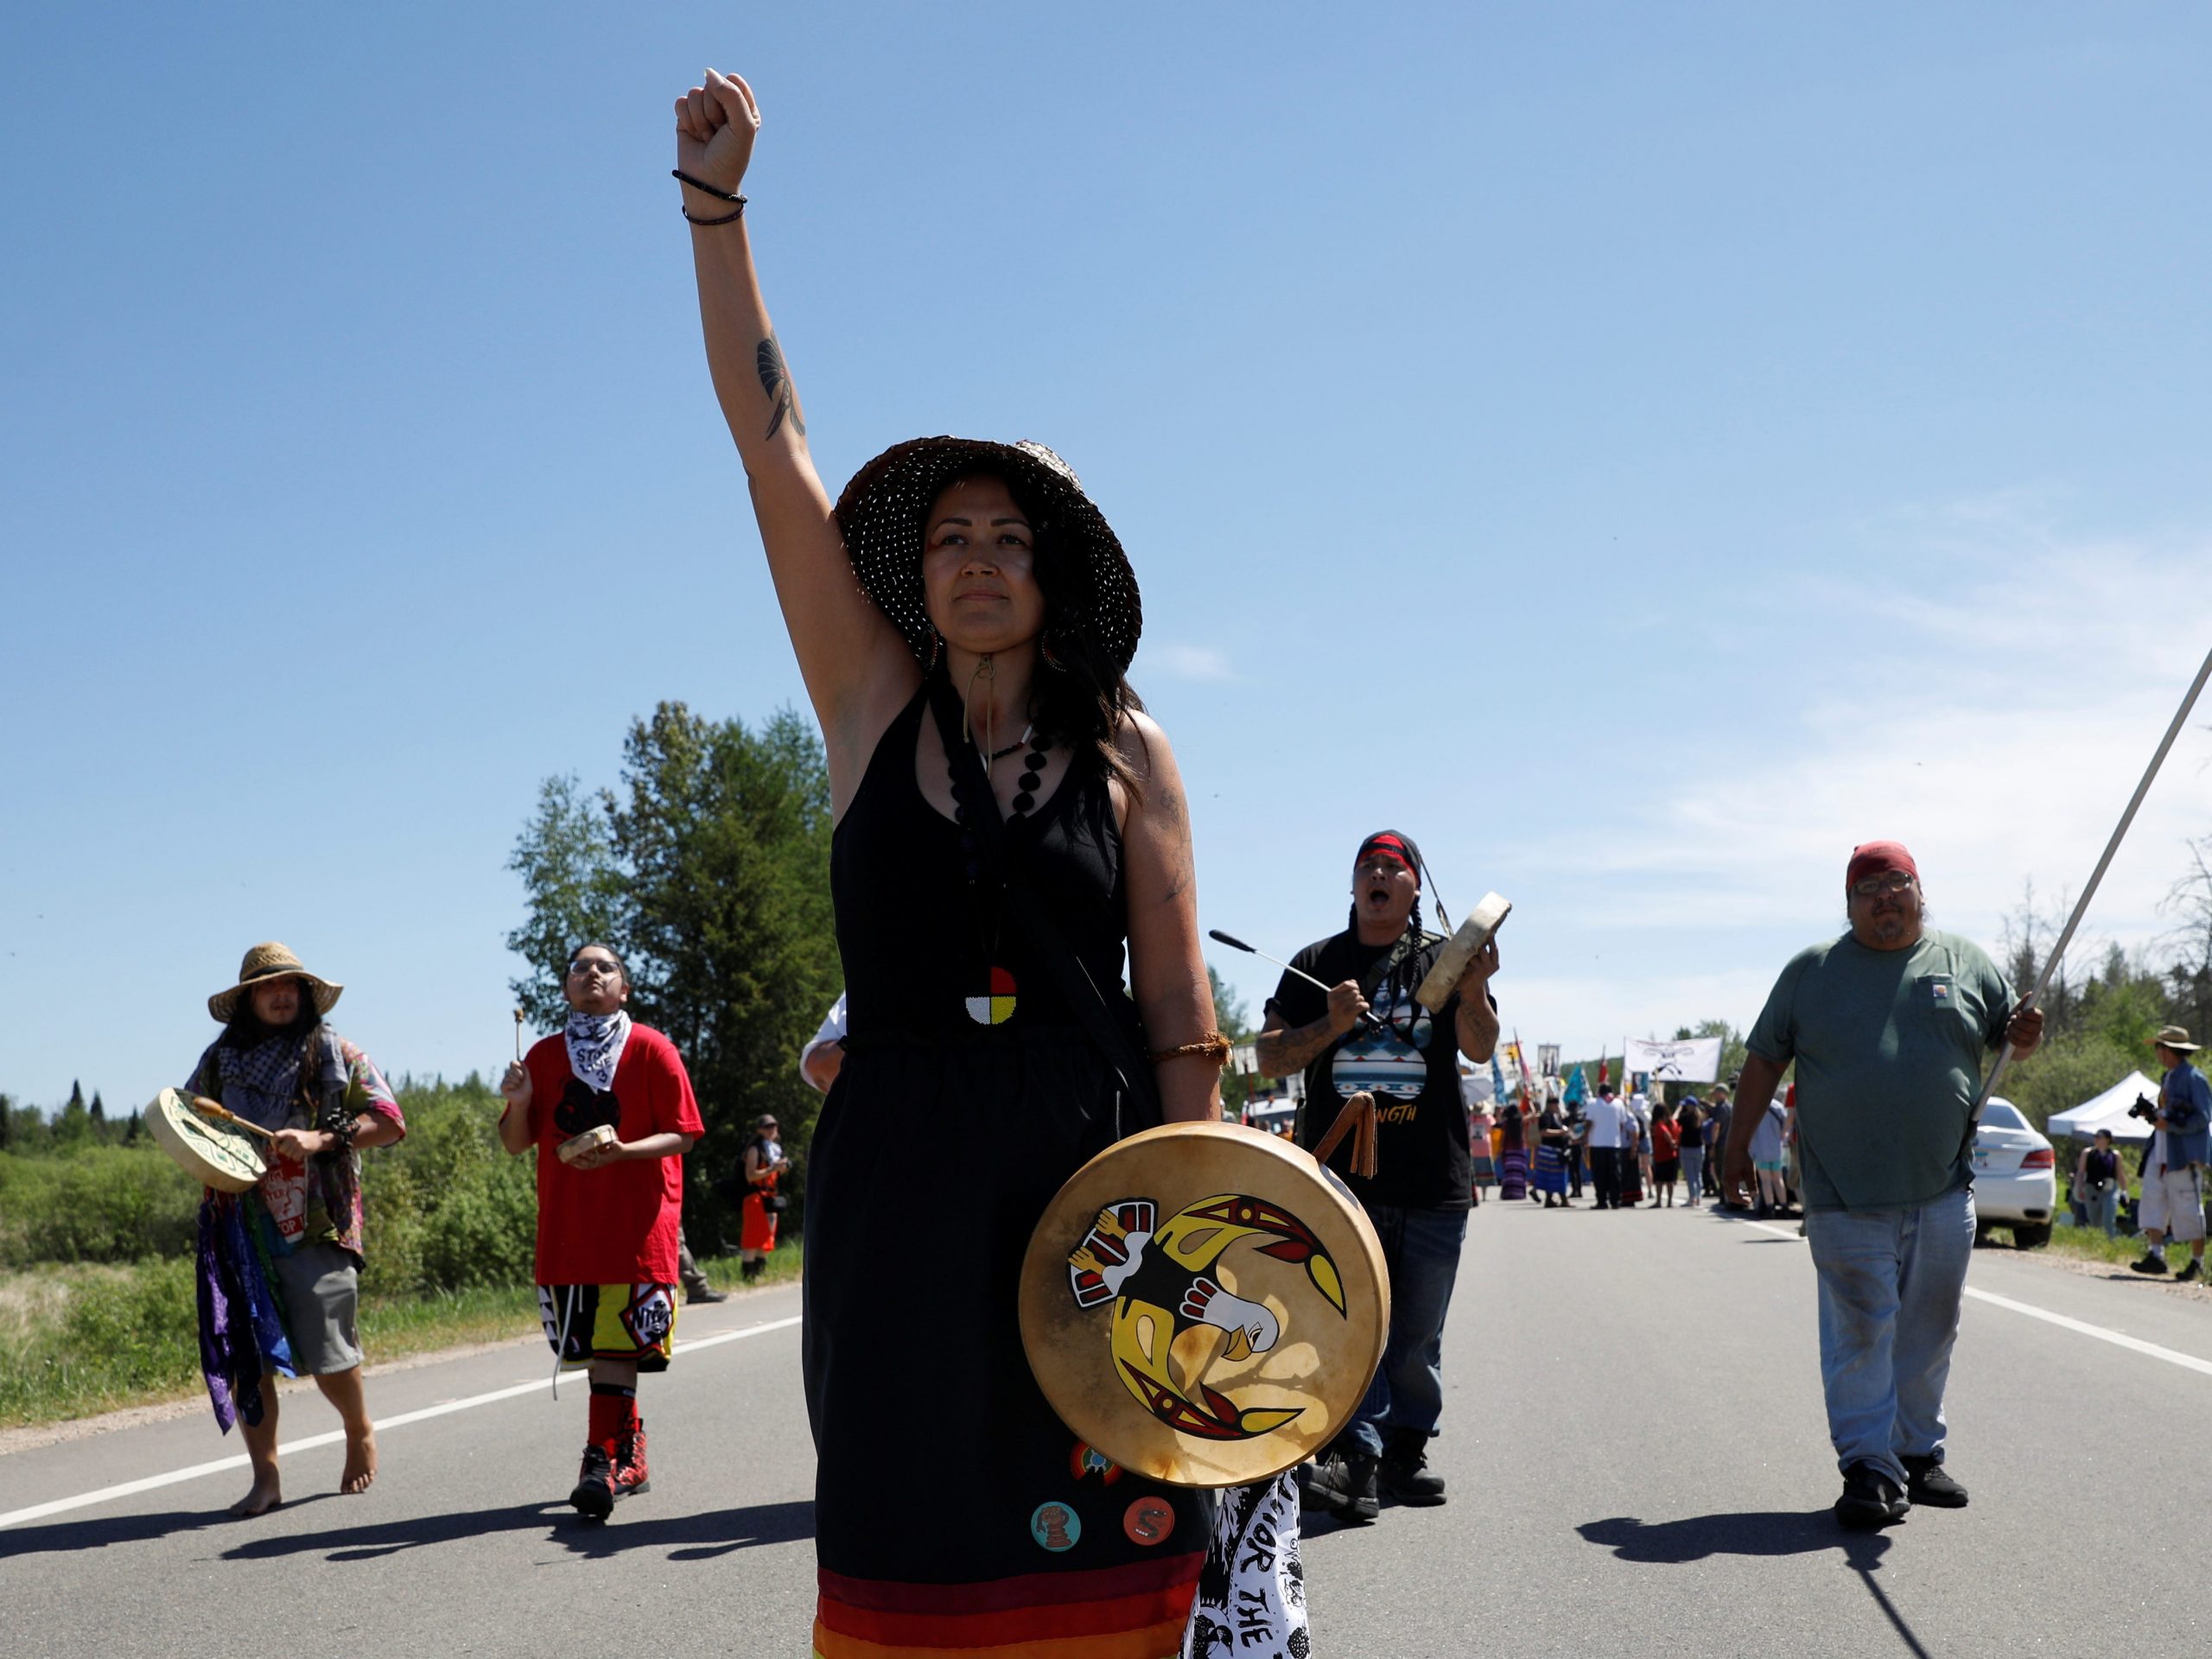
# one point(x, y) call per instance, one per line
point(1994, 716)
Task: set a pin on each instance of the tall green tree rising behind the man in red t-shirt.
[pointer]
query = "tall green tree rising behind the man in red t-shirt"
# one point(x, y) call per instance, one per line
point(709, 870)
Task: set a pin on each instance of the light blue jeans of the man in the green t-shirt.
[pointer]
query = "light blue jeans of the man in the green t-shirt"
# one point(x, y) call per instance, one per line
point(1892, 1284)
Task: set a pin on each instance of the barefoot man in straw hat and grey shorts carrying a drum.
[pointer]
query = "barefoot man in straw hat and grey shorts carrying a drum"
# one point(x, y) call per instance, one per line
point(280, 1067)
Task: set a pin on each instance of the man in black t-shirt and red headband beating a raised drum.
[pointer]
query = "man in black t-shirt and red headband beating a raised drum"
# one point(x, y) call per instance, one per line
point(1370, 1034)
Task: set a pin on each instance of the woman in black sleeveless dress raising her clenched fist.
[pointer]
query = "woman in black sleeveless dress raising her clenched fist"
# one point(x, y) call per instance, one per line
point(966, 609)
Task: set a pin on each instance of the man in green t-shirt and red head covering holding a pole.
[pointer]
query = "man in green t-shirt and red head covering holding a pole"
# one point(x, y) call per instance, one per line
point(1888, 1027)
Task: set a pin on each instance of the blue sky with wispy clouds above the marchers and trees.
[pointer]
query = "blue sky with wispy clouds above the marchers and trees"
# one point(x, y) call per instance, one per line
point(1638, 452)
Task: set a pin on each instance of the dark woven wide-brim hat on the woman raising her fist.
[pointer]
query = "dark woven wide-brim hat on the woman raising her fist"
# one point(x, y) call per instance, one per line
point(886, 503)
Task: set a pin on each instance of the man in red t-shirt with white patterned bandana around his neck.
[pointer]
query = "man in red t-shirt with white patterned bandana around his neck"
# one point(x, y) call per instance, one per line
point(607, 1213)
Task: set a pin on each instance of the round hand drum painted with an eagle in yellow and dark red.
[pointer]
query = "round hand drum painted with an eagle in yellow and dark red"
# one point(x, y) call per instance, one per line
point(1204, 1304)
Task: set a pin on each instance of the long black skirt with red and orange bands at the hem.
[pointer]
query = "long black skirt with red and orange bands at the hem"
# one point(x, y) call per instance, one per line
point(952, 1510)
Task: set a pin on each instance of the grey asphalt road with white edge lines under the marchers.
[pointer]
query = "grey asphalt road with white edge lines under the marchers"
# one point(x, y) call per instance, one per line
point(1634, 1439)
